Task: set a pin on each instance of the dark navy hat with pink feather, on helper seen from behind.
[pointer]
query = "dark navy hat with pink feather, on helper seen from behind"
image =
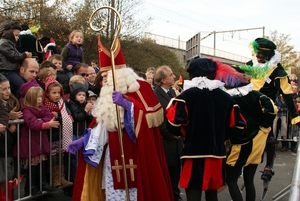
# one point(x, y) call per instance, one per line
point(201, 67)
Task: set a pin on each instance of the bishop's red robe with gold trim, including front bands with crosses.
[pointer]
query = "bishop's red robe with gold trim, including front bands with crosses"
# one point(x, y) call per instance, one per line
point(148, 159)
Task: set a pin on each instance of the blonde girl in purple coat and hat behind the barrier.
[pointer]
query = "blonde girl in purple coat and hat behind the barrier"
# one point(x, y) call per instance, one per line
point(37, 120)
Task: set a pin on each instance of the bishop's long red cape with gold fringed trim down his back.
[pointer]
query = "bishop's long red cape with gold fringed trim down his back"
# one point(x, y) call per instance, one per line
point(152, 177)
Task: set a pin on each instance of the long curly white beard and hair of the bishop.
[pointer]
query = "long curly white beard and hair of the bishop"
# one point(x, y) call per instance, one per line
point(104, 109)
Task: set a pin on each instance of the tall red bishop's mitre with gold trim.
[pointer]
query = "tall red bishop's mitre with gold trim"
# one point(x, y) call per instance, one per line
point(105, 56)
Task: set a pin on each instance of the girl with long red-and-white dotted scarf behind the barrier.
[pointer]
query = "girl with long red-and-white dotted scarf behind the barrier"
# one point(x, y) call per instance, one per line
point(54, 102)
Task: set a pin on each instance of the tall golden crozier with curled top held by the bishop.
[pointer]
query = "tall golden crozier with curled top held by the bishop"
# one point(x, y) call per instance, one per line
point(114, 83)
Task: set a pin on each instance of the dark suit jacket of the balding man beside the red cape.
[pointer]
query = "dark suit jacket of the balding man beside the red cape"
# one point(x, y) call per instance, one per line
point(172, 146)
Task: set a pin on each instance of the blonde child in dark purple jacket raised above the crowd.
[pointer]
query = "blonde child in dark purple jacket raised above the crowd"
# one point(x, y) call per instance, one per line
point(73, 53)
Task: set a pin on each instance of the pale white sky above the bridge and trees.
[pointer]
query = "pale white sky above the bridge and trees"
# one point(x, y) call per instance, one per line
point(184, 19)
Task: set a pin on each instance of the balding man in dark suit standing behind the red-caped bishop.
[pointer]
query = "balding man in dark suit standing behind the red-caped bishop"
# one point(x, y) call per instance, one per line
point(164, 79)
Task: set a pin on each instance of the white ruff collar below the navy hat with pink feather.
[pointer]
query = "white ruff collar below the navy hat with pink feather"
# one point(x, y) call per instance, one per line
point(203, 83)
